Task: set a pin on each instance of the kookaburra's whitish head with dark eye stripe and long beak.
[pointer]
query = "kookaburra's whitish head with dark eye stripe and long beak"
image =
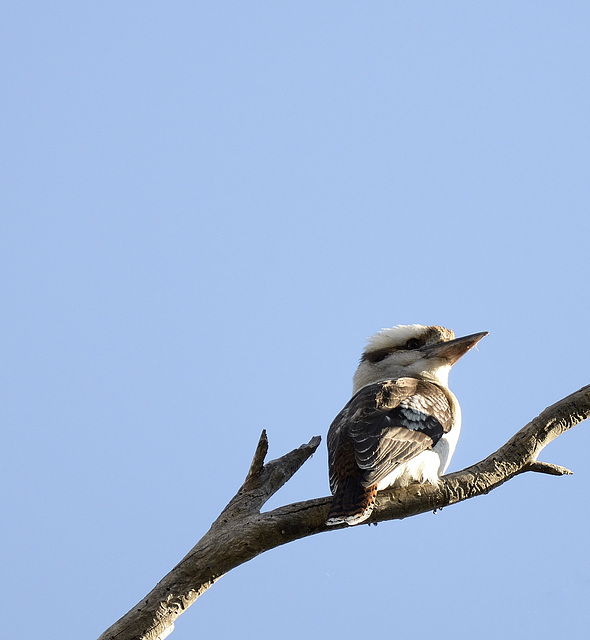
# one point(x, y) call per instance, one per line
point(412, 350)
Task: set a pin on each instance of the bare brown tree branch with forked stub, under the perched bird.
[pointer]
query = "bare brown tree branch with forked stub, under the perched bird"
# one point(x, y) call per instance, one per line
point(241, 532)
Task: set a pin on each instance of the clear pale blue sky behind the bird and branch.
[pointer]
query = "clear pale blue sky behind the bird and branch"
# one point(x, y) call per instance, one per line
point(206, 209)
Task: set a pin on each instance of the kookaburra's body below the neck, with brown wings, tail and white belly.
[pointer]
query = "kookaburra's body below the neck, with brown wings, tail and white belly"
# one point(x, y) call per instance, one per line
point(390, 431)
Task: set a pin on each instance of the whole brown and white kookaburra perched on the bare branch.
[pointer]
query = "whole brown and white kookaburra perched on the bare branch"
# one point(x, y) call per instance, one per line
point(401, 424)
